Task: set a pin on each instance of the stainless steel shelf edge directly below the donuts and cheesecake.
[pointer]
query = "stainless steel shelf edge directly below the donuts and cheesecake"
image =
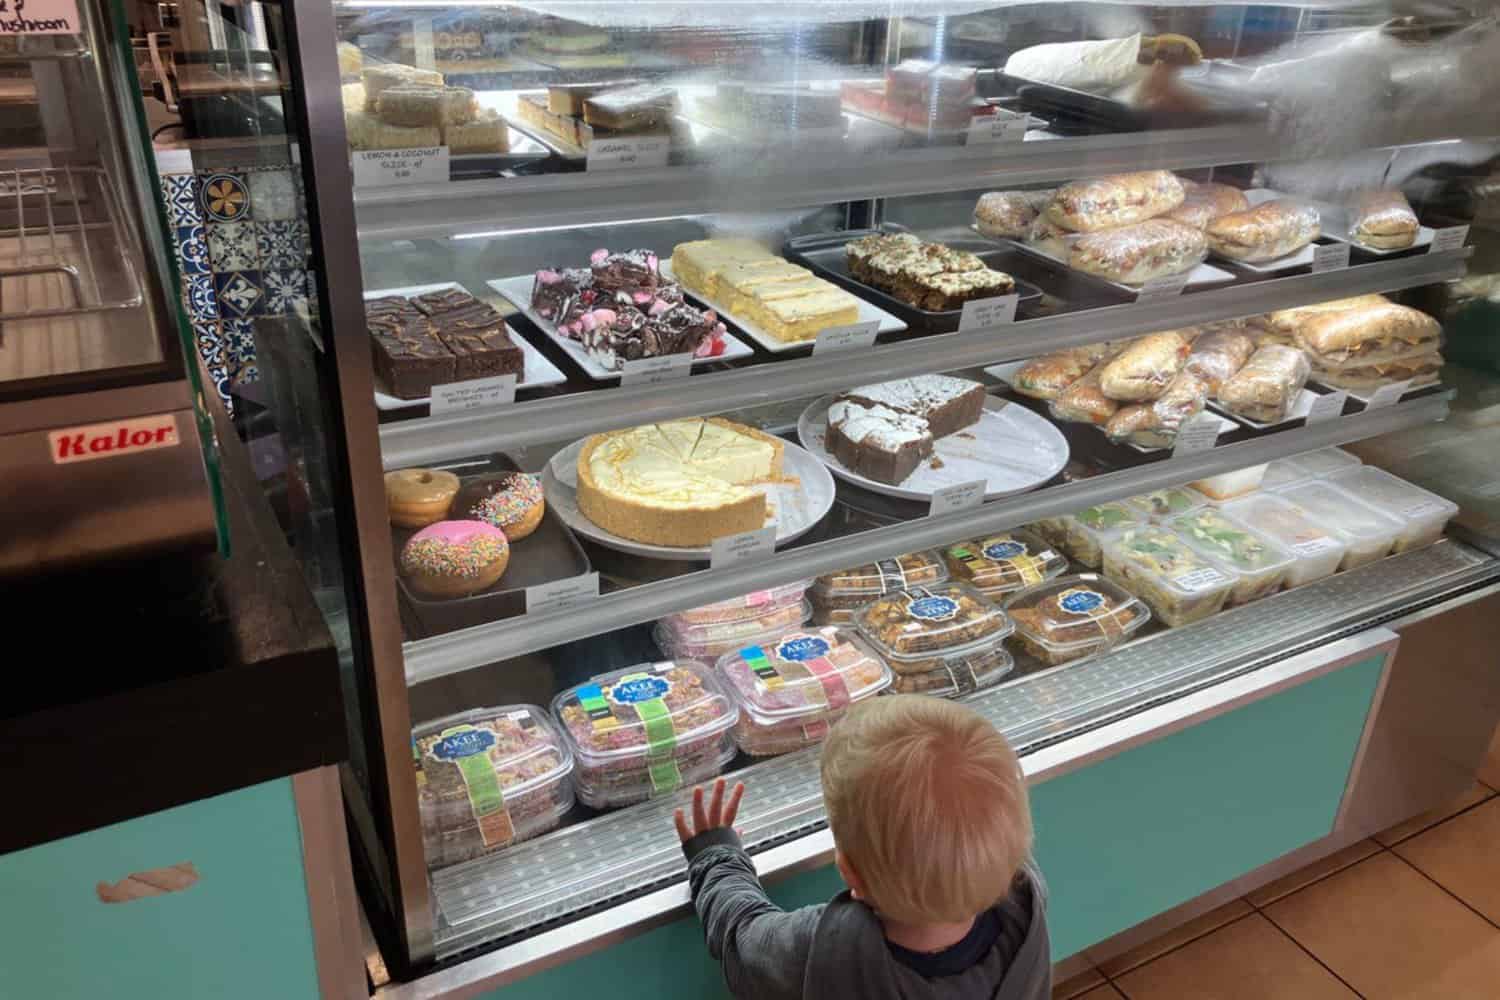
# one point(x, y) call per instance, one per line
point(430, 659)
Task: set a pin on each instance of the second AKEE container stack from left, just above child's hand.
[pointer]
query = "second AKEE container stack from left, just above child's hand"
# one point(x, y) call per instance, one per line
point(647, 731)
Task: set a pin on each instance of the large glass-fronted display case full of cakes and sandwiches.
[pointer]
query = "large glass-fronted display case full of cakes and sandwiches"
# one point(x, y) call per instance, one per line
point(695, 373)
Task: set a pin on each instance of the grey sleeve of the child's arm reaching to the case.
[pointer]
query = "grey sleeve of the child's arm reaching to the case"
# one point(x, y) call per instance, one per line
point(763, 948)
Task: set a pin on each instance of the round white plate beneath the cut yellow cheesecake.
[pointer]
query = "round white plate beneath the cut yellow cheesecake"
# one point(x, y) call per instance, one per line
point(796, 506)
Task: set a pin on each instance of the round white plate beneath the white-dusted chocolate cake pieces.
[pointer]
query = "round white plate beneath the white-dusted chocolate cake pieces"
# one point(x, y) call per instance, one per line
point(1012, 449)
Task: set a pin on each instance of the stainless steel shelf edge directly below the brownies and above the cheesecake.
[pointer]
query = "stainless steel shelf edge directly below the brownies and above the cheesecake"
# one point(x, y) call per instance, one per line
point(566, 418)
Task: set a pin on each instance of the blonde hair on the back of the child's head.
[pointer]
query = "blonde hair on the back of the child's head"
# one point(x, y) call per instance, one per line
point(929, 804)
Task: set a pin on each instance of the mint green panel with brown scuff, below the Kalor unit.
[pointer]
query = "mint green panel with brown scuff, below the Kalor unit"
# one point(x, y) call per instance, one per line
point(244, 930)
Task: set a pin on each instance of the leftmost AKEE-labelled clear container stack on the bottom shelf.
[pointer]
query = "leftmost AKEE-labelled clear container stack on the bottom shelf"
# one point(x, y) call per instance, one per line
point(488, 779)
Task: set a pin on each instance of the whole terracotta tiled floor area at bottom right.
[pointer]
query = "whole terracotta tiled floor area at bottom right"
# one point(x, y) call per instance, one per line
point(1412, 914)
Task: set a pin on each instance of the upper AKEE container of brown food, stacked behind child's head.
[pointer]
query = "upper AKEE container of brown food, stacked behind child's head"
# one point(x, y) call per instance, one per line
point(946, 620)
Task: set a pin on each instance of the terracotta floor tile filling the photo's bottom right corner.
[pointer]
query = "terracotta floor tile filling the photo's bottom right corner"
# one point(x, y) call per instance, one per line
point(1393, 935)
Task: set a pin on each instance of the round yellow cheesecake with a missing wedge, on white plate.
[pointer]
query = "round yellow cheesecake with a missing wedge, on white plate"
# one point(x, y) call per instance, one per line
point(679, 484)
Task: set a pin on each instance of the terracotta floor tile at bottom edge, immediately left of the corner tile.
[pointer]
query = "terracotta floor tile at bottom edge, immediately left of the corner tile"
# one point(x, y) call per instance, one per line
point(1249, 960)
